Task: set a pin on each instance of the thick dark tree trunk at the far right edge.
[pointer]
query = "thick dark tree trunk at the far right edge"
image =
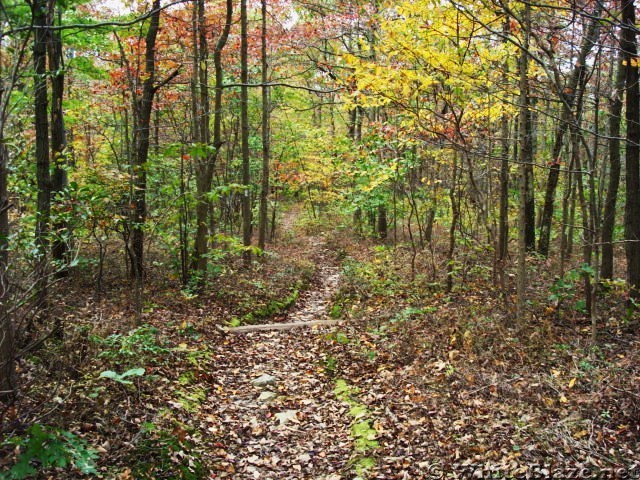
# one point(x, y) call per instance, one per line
point(632, 154)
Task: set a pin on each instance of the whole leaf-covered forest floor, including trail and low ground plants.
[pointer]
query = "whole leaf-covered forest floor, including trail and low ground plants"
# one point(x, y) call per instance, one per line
point(413, 382)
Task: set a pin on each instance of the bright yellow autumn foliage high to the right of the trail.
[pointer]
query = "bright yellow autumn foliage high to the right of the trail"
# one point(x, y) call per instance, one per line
point(431, 58)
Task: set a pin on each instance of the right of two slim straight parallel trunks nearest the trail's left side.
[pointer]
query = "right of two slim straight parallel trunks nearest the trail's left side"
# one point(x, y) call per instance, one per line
point(266, 143)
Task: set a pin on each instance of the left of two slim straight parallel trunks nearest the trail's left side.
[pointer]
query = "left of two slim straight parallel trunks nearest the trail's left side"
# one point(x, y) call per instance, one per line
point(244, 133)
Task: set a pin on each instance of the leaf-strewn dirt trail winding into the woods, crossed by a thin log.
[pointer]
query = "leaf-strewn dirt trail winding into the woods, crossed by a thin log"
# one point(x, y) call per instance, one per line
point(272, 409)
